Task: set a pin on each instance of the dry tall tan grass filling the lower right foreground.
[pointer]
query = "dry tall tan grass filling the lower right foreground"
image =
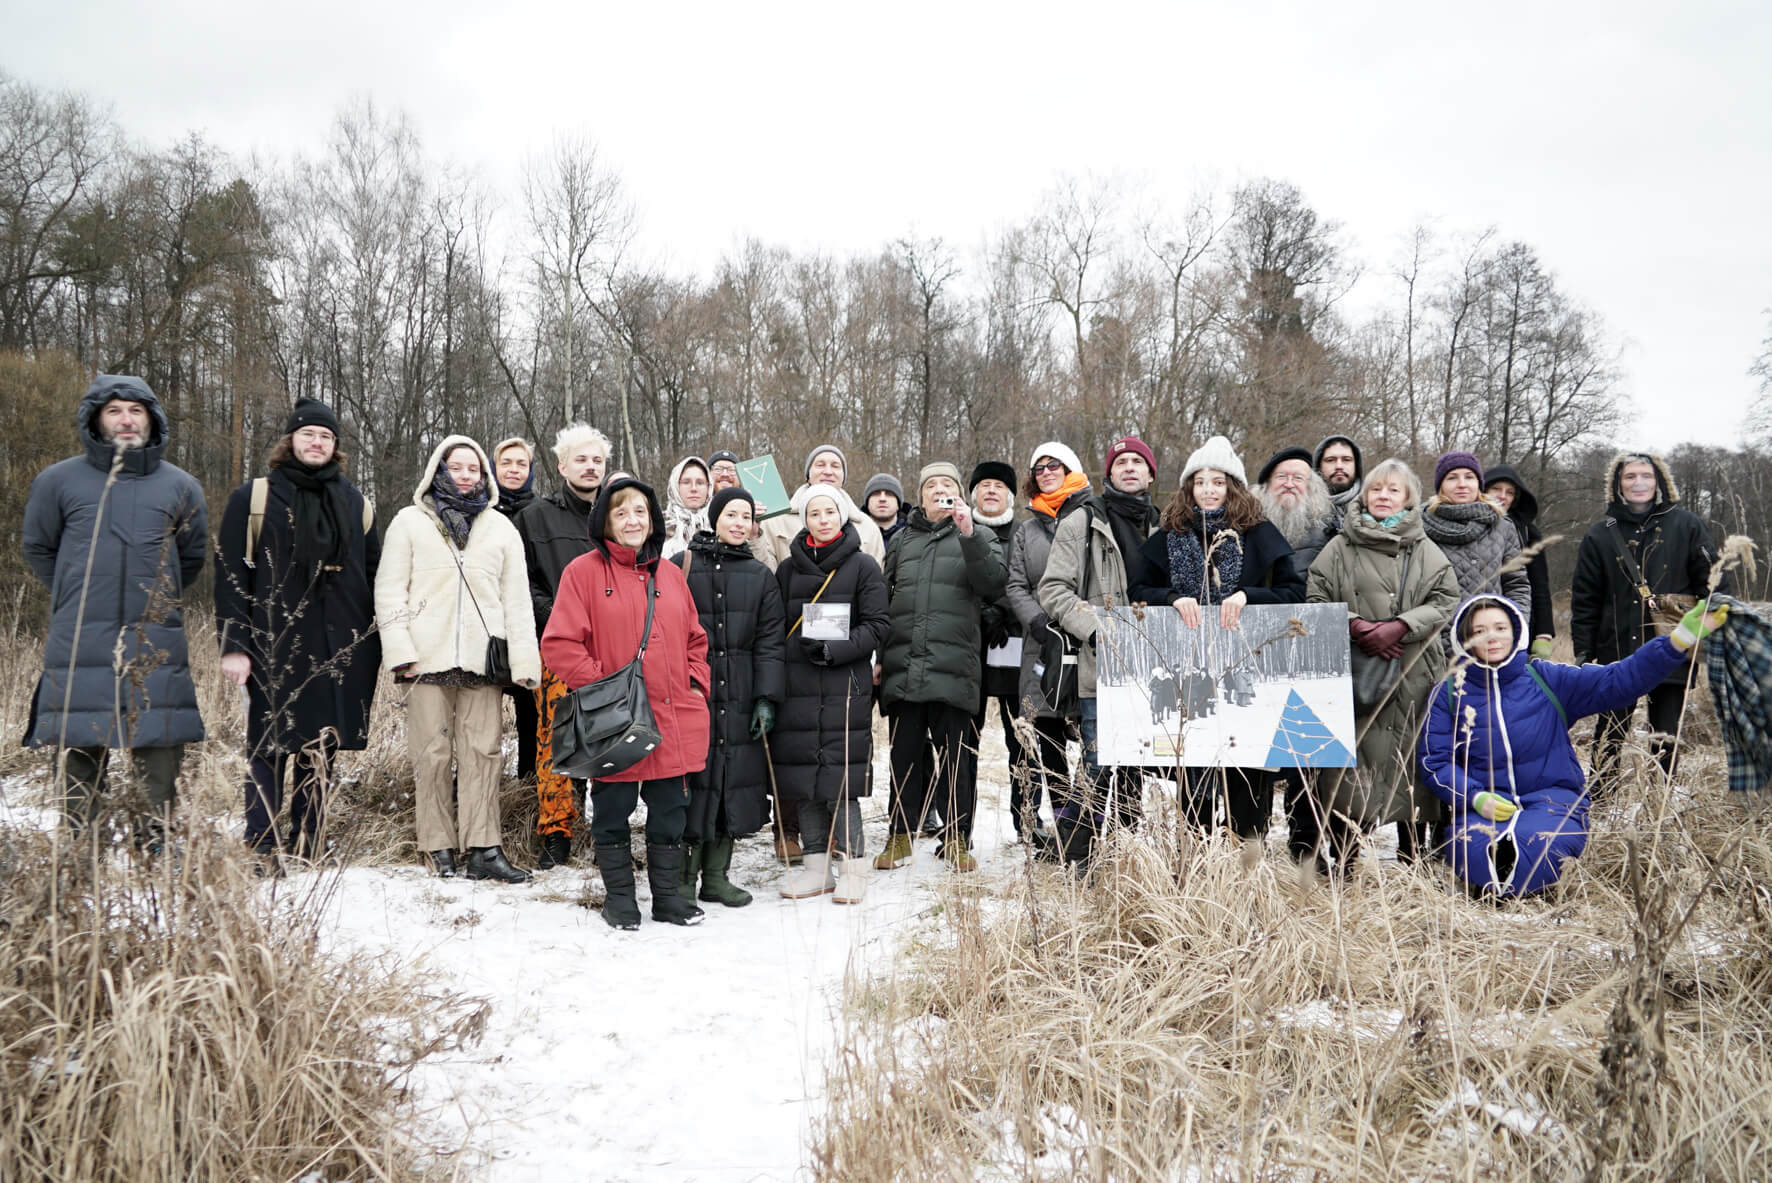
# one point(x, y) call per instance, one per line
point(1183, 1019)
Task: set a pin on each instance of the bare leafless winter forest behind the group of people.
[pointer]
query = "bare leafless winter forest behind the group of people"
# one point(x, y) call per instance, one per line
point(421, 302)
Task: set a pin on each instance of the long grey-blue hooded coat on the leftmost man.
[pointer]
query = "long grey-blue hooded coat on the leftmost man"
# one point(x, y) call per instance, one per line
point(116, 669)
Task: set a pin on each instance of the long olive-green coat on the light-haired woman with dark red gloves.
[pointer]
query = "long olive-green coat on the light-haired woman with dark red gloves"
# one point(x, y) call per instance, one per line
point(1360, 569)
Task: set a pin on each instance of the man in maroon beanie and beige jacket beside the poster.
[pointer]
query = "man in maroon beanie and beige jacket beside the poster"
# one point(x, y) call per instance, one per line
point(1100, 548)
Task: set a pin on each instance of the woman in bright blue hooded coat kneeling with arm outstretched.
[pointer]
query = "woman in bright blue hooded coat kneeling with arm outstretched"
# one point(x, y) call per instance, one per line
point(1496, 743)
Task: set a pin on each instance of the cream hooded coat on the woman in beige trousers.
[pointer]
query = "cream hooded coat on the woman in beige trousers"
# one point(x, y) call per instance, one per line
point(424, 608)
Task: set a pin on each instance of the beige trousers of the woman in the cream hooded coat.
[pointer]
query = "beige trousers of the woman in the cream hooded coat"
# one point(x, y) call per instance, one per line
point(456, 725)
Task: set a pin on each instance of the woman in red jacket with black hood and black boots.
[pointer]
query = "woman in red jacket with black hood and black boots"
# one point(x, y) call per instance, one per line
point(595, 631)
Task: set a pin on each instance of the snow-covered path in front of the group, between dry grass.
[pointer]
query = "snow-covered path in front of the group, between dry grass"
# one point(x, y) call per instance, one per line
point(664, 1055)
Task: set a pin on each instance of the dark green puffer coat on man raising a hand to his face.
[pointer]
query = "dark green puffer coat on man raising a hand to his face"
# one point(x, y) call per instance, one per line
point(938, 580)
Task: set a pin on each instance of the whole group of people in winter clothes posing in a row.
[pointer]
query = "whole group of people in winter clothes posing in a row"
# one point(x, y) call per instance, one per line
point(768, 644)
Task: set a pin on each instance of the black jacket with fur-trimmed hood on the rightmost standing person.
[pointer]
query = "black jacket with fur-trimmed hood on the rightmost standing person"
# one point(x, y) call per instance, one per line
point(1608, 619)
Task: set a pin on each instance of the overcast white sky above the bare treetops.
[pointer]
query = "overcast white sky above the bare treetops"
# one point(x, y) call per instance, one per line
point(1631, 144)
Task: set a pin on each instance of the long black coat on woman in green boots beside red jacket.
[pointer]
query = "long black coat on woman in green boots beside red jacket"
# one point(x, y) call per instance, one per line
point(740, 605)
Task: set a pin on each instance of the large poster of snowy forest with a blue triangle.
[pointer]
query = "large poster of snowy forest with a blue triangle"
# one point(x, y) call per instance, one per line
point(1273, 693)
